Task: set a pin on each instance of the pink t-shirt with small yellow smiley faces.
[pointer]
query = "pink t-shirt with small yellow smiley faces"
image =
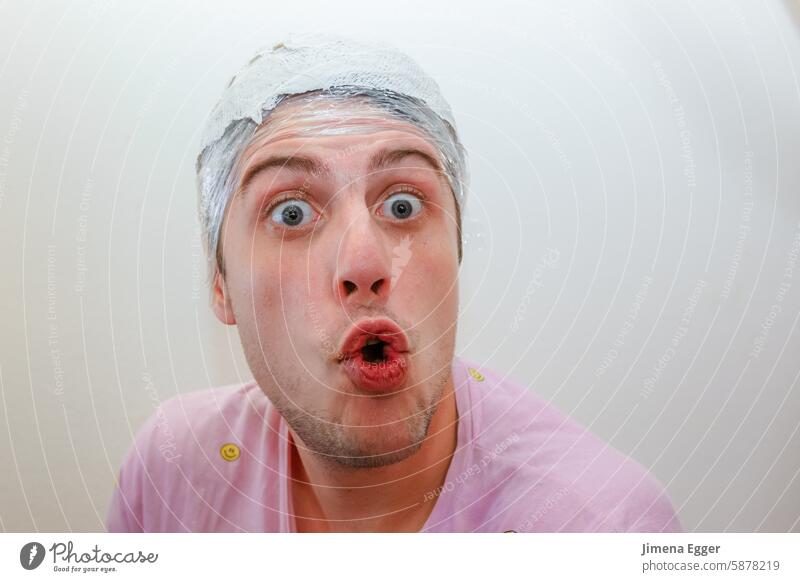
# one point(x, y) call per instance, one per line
point(520, 465)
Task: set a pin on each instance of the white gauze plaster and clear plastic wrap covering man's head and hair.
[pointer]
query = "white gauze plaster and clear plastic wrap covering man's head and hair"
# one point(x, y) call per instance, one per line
point(318, 69)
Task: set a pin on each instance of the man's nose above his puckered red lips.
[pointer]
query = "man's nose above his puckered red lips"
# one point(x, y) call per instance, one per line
point(364, 264)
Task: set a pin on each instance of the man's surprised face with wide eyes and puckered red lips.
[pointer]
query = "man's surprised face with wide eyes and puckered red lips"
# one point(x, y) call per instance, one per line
point(322, 240)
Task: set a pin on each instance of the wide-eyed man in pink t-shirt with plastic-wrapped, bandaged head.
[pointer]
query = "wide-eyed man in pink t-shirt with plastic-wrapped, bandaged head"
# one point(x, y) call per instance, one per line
point(331, 183)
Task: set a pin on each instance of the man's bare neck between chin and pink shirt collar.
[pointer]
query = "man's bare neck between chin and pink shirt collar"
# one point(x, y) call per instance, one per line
point(396, 497)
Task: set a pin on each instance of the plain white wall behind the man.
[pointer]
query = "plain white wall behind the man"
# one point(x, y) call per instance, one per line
point(635, 172)
